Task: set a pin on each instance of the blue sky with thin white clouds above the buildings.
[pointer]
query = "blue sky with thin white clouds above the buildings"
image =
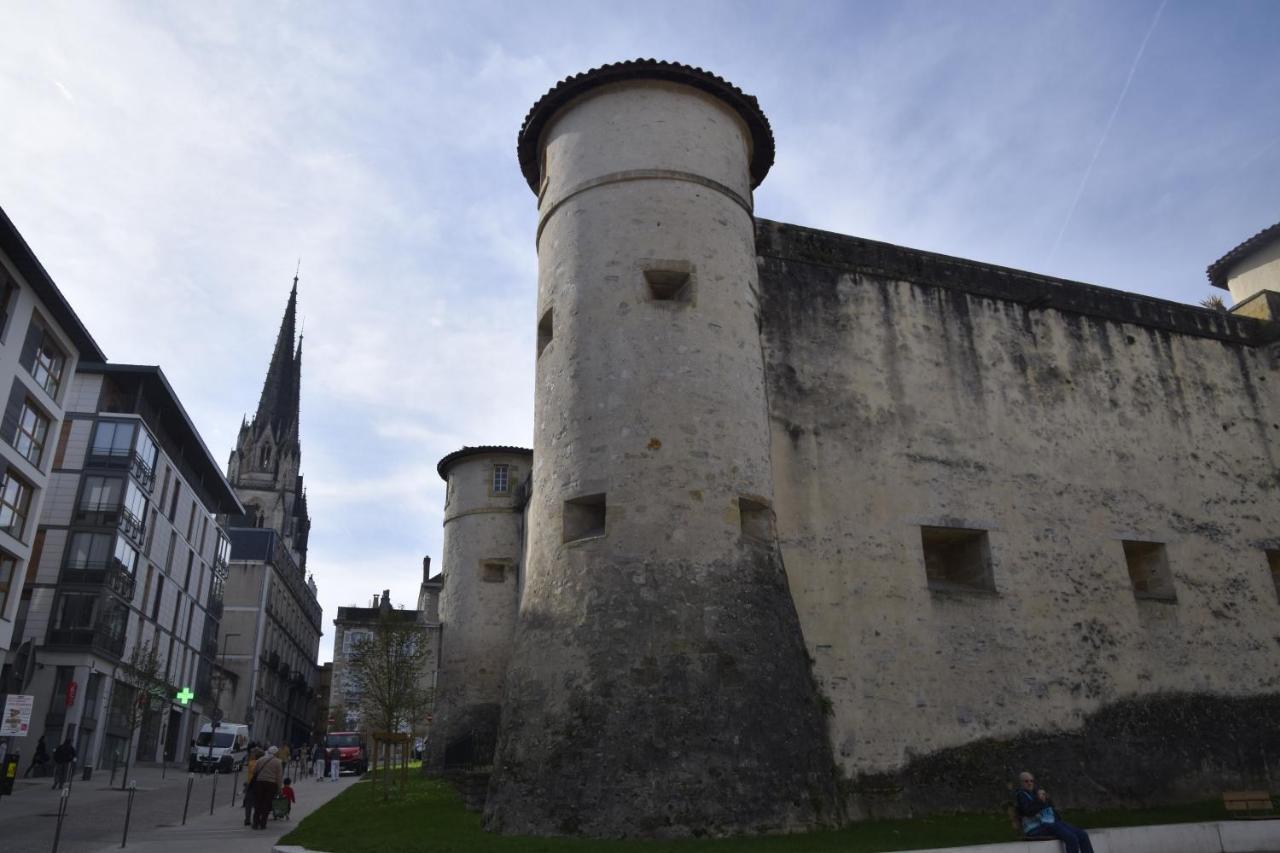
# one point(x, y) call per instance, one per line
point(172, 163)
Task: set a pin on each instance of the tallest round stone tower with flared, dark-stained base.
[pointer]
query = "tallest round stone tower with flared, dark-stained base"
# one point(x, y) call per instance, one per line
point(659, 683)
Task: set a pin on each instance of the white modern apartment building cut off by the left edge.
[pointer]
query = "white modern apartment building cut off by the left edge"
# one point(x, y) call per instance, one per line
point(42, 341)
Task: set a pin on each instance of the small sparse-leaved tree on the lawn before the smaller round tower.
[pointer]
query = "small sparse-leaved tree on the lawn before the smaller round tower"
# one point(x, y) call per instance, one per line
point(387, 669)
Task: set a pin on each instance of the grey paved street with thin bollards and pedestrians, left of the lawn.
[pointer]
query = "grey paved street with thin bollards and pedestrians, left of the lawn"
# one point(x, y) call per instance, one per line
point(95, 815)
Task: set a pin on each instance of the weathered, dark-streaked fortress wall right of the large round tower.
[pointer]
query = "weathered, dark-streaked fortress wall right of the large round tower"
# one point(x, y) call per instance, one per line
point(911, 391)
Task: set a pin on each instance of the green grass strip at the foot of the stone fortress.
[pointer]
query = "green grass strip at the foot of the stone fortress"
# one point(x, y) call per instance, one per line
point(431, 819)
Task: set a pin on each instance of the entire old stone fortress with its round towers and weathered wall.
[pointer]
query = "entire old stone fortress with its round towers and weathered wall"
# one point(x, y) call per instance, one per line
point(817, 528)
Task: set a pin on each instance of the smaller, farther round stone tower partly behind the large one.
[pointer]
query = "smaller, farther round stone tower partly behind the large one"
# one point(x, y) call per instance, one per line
point(483, 545)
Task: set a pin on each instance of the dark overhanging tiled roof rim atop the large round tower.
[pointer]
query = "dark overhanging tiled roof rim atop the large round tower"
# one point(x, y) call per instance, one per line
point(570, 88)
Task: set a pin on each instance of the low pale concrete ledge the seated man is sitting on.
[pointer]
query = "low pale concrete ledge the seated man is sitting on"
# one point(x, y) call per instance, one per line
point(1220, 837)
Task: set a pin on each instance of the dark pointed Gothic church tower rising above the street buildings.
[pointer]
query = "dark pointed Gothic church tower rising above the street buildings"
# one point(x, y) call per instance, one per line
point(264, 467)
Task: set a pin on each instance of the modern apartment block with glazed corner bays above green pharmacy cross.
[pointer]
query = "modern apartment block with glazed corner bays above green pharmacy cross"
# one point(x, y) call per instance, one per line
point(129, 555)
